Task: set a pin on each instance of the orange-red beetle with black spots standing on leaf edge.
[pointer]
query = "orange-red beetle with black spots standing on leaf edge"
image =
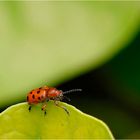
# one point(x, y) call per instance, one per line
point(44, 94)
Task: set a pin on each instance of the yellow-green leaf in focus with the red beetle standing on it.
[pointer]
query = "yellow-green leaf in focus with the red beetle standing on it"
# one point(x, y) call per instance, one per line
point(18, 122)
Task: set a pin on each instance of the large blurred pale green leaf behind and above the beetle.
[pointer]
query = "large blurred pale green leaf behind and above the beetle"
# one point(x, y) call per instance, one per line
point(51, 42)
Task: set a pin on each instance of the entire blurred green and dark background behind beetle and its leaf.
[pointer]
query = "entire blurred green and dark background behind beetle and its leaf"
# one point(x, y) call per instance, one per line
point(88, 45)
